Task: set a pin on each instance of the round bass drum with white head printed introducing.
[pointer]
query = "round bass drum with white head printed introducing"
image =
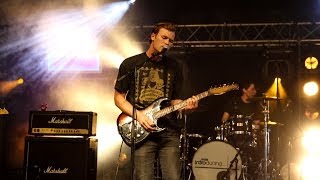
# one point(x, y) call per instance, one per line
point(212, 160)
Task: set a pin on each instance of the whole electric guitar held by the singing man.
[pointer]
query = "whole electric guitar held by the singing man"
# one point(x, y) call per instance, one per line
point(154, 112)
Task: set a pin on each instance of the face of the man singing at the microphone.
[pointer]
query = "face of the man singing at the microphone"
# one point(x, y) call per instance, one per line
point(163, 38)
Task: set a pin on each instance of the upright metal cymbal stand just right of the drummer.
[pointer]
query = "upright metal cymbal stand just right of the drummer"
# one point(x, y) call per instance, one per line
point(266, 107)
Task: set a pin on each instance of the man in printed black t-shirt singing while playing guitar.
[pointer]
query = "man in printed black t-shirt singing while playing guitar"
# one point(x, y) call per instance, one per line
point(156, 76)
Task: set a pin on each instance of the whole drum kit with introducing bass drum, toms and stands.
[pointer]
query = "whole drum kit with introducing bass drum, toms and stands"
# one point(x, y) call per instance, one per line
point(240, 150)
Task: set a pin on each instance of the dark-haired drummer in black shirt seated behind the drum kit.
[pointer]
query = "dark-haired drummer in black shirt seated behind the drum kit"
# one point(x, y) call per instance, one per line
point(244, 105)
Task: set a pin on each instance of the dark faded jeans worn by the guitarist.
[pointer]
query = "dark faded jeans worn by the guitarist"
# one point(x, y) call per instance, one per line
point(165, 144)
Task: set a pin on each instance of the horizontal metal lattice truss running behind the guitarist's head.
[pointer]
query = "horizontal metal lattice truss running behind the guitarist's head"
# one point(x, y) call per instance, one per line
point(236, 35)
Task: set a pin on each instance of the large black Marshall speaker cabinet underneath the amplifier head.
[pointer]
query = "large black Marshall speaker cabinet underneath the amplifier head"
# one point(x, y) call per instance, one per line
point(61, 158)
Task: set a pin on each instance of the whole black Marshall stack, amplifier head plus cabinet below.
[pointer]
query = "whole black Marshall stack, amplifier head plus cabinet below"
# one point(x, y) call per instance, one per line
point(61, 145)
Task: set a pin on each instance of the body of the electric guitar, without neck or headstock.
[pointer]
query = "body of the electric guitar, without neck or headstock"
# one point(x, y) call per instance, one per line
point(124, 123)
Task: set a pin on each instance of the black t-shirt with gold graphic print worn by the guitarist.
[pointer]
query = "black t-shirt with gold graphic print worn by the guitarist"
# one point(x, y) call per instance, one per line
point(154, 80)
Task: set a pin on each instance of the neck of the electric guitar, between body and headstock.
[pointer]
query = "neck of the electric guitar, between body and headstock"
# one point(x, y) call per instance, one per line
point(178, 106)
